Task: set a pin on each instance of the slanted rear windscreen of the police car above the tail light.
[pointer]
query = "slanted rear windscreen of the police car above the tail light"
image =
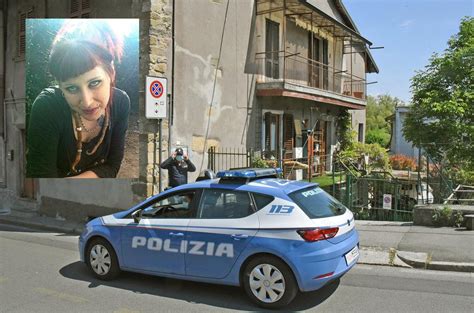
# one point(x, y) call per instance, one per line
point(317, 203)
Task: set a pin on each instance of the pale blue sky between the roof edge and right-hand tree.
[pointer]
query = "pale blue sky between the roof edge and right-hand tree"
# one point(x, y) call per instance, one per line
point(410, 32)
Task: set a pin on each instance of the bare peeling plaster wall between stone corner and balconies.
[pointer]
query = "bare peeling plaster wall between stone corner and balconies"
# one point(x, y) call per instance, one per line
point(204, 81)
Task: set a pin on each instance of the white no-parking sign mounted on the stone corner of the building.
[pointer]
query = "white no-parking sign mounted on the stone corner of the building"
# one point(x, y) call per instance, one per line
point(155, 97)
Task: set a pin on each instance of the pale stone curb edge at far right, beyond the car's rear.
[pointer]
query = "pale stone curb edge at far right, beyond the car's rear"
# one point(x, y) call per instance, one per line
point(423, 260)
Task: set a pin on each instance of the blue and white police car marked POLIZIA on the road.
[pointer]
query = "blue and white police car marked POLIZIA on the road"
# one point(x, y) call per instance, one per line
point(248, 228)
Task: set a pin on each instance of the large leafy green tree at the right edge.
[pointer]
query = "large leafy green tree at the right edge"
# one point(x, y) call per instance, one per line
point(441, 119)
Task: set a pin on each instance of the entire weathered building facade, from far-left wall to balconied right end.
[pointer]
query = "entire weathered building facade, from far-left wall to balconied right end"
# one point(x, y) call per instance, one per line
point(254, 74)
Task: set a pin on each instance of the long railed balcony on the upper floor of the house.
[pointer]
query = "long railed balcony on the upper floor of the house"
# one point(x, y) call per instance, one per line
point(297, 76)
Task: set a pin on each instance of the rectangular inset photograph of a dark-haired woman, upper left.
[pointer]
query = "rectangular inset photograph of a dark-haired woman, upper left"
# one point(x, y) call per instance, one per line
point(82, 98)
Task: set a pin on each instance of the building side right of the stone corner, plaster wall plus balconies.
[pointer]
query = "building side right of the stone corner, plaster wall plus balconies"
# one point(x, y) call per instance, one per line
point(267, 75)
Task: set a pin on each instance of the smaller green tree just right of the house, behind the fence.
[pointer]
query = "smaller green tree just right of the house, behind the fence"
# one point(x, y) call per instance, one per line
point(378, 109)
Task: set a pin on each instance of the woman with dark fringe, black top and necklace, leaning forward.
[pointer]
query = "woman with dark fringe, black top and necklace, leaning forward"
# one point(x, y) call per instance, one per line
point(77, 129)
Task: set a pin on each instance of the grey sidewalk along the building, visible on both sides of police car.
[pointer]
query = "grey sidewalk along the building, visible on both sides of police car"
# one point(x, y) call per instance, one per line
point(381, 243)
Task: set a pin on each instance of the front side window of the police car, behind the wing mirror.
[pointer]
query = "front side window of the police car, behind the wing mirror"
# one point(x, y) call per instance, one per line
point(174, 206)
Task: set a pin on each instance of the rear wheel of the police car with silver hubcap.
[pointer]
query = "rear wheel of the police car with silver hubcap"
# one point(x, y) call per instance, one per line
point(269, 282)
